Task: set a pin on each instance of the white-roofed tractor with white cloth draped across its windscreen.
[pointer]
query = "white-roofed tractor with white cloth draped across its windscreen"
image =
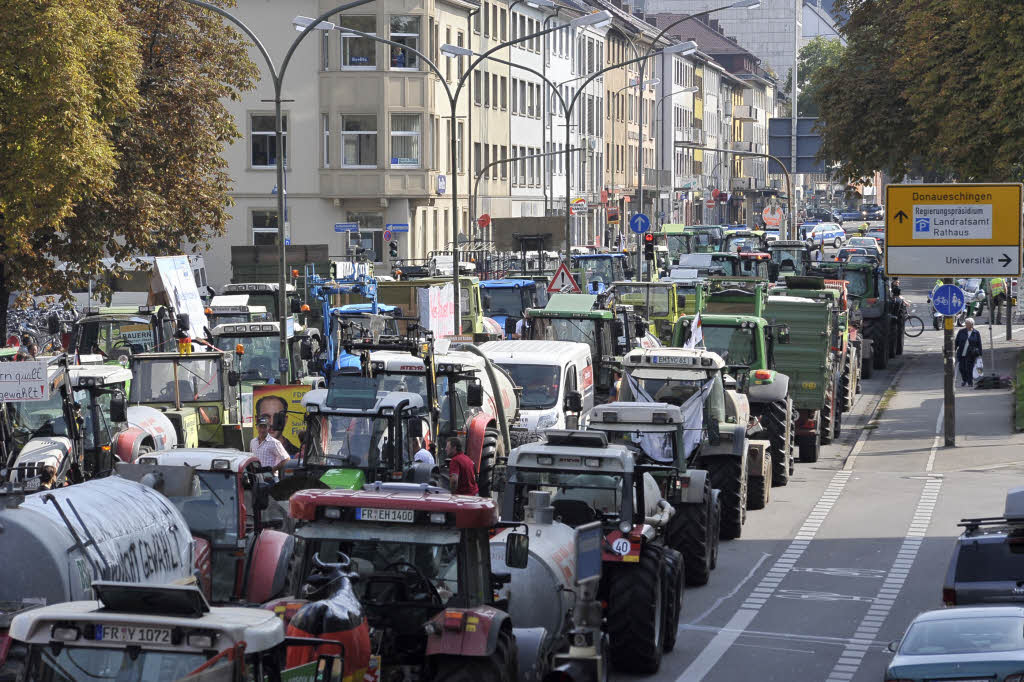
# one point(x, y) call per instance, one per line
point(675, 376)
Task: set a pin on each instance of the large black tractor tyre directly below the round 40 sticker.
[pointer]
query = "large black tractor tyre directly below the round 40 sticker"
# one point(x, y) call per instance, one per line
point(635, 614)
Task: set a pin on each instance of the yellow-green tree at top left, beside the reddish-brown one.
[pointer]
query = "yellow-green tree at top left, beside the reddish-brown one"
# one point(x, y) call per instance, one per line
point(68, 72)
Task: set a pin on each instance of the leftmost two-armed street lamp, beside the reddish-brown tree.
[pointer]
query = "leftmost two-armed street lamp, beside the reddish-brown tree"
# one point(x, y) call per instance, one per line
point(278, 77)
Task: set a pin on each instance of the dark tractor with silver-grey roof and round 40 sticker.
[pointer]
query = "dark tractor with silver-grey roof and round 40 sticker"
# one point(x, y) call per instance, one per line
point(593, 482)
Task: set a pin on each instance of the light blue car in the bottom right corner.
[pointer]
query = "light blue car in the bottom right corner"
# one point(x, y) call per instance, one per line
point(966, 645)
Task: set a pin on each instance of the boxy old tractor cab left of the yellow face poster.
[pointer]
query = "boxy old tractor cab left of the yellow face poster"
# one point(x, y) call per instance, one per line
point(199, 393)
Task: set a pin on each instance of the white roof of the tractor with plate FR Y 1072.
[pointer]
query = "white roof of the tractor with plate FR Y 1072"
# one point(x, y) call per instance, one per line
point(260, 629)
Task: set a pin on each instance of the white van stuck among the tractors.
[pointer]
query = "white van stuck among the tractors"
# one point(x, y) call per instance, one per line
point(548, 372)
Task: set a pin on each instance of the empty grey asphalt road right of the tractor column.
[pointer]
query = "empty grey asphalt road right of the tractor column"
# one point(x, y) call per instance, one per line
point(858, 544)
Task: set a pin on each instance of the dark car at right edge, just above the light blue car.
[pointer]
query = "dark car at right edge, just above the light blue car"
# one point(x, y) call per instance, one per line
point(988, 566)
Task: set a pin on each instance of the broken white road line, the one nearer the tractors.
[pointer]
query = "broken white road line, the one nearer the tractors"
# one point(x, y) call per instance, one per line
point(719, 645)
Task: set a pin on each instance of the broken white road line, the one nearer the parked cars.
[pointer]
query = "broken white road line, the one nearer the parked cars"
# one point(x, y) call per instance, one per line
point(851, 658)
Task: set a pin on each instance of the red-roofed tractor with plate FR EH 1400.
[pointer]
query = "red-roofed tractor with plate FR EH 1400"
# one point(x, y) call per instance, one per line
point(423, 565)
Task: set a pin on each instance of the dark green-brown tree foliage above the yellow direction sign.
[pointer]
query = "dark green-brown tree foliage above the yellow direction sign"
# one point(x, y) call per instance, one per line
point(927, 88)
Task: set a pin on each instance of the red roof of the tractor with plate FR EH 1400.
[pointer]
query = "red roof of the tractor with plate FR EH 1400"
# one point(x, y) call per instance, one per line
point(470, 511)
